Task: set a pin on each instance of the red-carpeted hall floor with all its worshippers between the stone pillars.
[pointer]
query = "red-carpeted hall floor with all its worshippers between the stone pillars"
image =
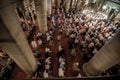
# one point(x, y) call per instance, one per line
point(71, 40)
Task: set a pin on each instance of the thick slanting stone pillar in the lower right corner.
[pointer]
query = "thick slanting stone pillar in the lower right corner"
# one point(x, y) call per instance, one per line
point(108, 56)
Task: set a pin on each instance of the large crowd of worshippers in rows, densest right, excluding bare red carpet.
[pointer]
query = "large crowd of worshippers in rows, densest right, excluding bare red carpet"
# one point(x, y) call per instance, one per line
point(89, 34)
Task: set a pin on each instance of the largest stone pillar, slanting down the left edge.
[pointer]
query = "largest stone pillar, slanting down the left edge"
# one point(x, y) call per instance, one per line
point(13, 40)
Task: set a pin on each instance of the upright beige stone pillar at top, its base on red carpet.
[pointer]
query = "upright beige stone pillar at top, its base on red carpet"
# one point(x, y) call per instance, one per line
point(40, 6)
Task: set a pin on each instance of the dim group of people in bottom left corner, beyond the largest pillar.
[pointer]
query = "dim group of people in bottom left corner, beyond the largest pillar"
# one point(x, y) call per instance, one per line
point(7, 65)
